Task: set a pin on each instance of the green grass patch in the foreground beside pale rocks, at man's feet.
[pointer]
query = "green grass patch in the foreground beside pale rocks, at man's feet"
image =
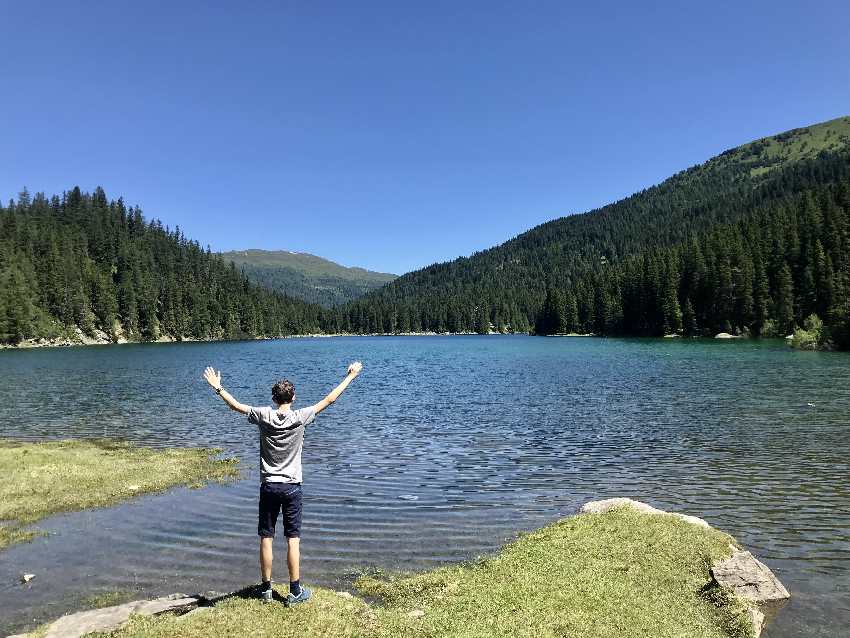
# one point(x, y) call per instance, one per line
point(592, 576)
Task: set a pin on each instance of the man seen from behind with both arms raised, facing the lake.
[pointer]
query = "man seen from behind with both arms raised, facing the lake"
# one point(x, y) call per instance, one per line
point(281, 441)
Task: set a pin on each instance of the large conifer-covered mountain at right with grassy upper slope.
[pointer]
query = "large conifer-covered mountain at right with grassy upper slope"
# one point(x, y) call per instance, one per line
point(715, 239)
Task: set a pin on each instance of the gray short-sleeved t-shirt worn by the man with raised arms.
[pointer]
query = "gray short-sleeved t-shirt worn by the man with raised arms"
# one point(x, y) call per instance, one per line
point(281, 440)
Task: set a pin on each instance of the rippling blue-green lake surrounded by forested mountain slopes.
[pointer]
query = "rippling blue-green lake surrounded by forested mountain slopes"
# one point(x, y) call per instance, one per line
point(442, 450)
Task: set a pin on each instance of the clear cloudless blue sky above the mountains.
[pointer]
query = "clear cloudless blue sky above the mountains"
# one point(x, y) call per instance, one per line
point(391, 135)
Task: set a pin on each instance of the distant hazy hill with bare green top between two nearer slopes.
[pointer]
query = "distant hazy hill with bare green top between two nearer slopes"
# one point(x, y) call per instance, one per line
point(306, 276)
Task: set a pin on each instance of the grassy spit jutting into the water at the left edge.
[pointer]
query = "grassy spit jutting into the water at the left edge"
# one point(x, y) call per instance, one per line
point(41, 479)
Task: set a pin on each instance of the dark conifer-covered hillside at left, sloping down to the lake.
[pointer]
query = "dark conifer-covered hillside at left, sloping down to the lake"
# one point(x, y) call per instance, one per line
point(81, 261)
